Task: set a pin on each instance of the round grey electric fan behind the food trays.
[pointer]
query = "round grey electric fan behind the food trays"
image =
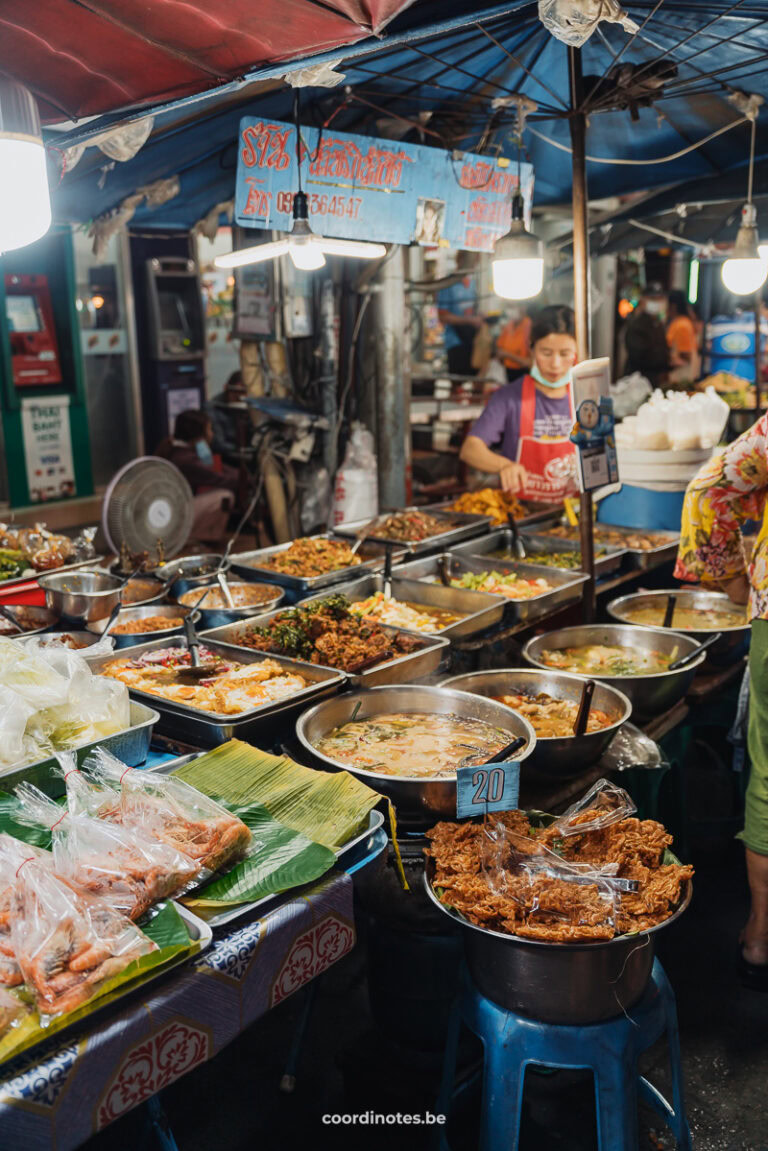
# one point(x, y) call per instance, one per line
point(148, 500)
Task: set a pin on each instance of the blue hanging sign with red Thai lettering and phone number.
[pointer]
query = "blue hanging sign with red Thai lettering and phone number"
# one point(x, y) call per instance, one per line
point(367, 188)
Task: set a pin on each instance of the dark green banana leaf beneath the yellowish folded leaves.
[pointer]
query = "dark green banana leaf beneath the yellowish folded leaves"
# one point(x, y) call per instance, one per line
point(280, 859)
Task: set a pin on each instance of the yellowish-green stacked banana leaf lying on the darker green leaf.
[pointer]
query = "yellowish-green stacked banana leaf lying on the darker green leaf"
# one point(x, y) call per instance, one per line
point(329, 807)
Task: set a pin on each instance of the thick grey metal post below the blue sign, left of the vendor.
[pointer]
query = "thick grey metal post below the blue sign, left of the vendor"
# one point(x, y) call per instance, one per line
point(393, 384)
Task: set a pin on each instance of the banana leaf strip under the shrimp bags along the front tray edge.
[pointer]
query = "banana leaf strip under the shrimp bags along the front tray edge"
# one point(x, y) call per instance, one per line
point(164, 926)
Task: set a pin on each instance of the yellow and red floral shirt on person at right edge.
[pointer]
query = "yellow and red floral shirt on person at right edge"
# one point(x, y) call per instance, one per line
point(728, 491)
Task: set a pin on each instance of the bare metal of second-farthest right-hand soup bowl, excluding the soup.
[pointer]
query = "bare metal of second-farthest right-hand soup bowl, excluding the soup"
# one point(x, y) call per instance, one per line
point(650, 696)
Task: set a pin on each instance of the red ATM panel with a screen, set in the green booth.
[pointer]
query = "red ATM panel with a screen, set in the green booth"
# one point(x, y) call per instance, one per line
point(34, 349)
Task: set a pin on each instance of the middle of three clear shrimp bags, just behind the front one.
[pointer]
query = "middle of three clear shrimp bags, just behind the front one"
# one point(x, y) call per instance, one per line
point(121, 865)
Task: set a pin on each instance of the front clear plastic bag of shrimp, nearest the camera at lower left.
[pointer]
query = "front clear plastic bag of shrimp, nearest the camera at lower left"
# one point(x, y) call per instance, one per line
point(69, 944)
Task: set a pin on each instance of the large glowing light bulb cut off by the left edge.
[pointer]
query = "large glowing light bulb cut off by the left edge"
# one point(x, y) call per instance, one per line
point(25, 197)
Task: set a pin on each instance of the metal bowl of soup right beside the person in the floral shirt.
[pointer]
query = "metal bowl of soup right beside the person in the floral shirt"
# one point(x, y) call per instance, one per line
point(697, 614)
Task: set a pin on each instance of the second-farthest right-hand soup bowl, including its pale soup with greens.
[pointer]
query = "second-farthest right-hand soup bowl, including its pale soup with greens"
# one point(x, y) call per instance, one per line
point(633, 659)
